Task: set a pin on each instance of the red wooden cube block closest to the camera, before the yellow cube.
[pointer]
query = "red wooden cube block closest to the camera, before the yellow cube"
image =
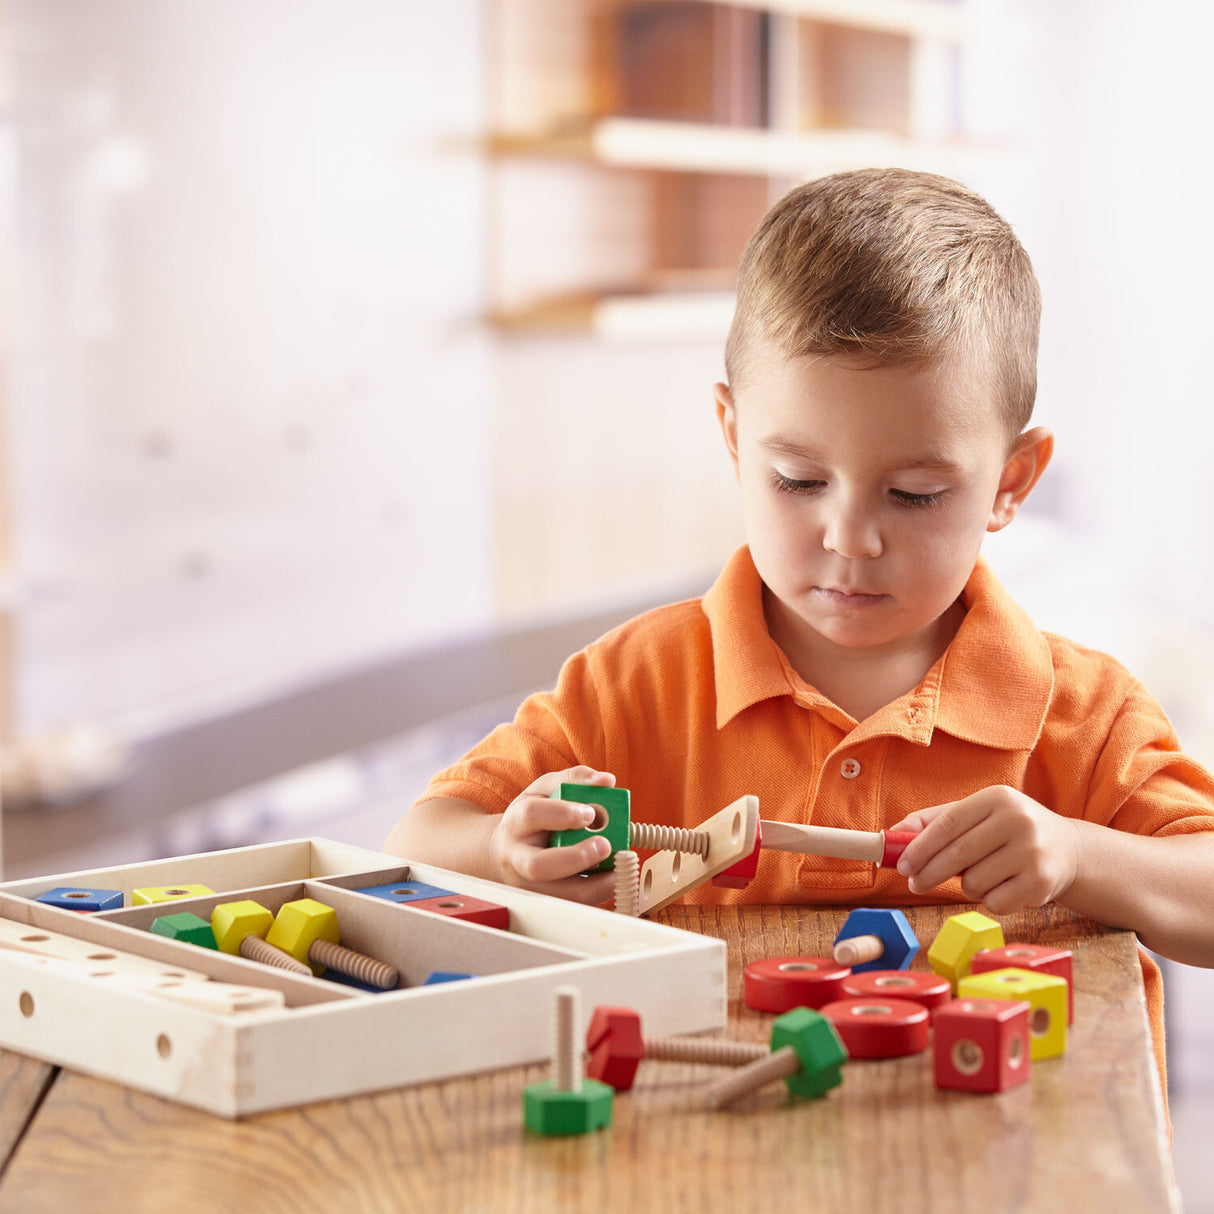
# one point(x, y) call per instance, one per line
point(982, 1045)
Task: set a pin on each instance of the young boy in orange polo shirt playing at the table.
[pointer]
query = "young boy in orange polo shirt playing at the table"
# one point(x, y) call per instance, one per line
point(858, 665)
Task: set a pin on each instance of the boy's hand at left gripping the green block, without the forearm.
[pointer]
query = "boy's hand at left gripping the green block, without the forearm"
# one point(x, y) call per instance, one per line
point(519, 846)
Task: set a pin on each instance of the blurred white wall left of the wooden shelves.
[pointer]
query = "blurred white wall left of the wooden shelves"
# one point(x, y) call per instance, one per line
point(249, 404)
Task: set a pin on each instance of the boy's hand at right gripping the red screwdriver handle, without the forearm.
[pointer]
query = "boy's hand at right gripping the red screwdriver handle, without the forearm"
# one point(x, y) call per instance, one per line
point(1009, 852)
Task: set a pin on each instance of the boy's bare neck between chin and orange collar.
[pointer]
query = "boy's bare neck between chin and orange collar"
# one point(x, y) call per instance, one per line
point(864, 682)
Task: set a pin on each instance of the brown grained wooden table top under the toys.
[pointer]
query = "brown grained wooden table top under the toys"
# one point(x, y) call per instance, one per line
point(1085, 1133)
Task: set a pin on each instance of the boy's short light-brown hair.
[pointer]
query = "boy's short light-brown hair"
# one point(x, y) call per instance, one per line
point(895, 266)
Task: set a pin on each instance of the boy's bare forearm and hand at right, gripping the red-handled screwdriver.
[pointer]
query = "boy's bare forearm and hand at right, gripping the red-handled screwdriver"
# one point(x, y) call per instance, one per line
point(1012, 853)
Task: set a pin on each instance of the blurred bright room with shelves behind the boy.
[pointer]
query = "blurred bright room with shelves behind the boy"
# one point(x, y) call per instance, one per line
point(356, 365)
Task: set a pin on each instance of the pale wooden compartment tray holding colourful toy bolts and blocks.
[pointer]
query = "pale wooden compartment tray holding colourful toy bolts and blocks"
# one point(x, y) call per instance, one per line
point(333, 1041)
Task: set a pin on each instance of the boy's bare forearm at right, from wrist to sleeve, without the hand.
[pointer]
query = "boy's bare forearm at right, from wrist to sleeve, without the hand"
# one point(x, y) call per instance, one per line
point(1161, 888)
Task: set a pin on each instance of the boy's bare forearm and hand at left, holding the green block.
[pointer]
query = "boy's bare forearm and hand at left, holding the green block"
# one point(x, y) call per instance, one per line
point(512, 848)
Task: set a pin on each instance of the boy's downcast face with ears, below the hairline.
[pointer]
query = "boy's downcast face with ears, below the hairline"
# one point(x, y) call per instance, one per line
point(867, 491)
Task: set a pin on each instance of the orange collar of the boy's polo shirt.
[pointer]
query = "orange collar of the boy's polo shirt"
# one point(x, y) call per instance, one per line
point(991, 688)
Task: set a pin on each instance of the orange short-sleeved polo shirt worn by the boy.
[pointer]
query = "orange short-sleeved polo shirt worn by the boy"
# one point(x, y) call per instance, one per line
point(694, 705)
